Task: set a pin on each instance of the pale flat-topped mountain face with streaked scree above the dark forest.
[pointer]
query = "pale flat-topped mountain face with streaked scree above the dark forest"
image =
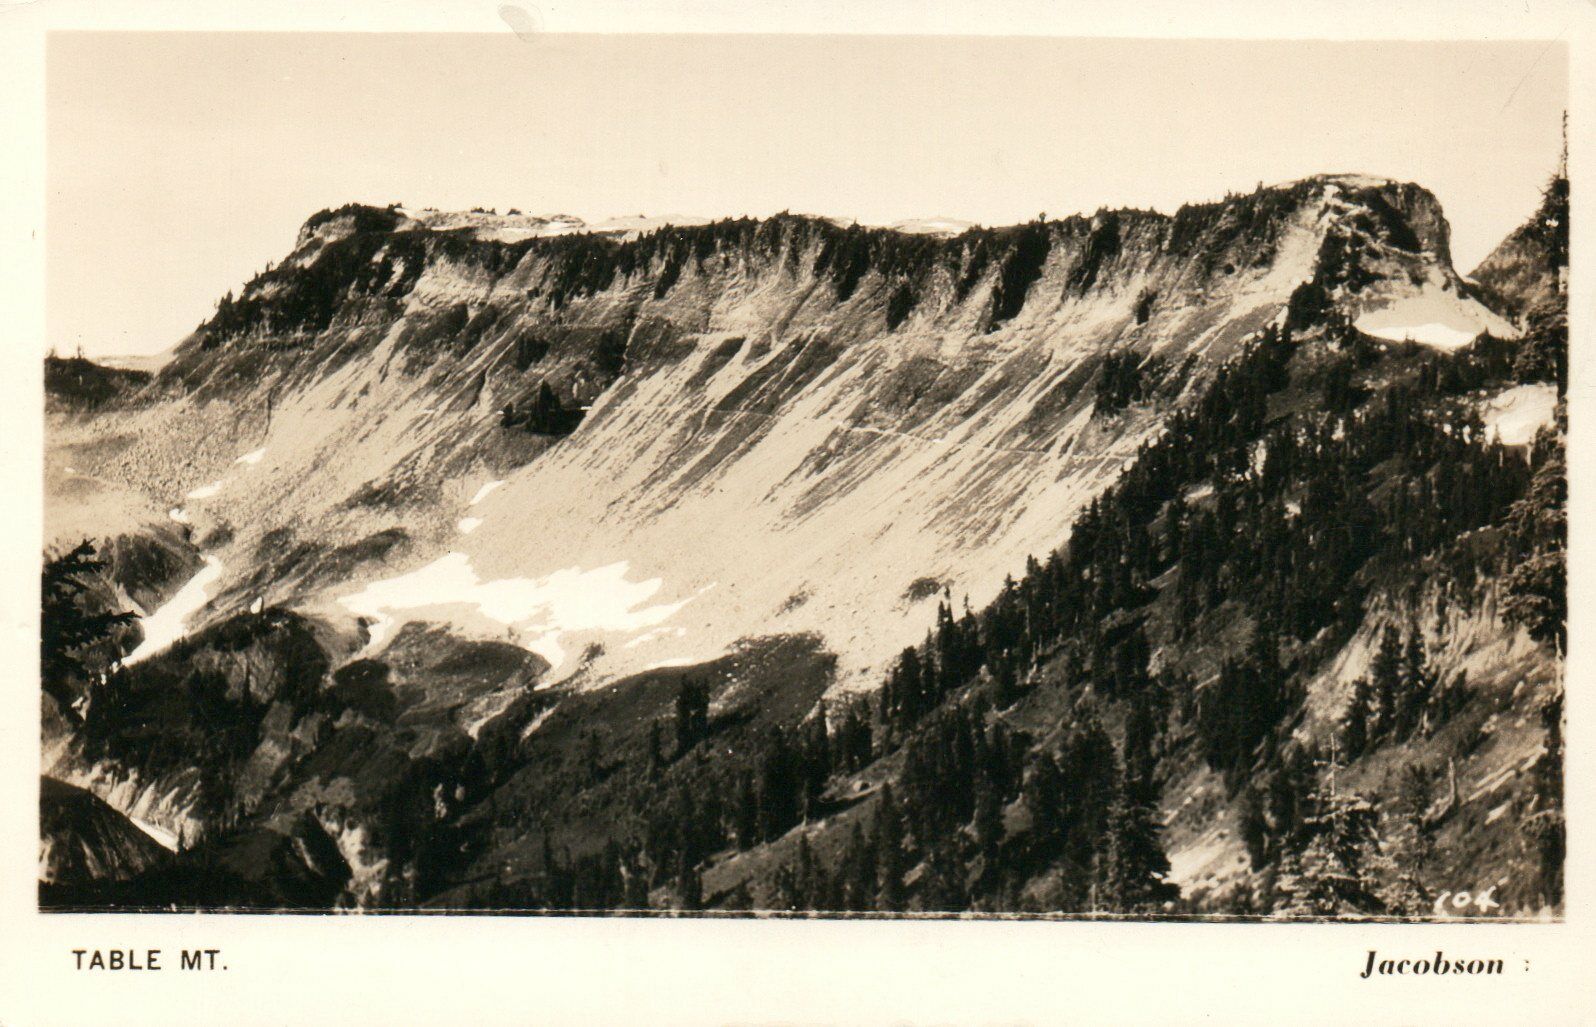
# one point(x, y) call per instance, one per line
point(740, 429)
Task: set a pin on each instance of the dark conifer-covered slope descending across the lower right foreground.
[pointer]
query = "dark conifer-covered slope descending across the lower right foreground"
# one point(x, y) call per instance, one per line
point(1302, 660)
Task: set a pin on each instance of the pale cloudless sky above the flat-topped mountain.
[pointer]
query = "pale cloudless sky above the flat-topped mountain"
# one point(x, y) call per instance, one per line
point(183, 164)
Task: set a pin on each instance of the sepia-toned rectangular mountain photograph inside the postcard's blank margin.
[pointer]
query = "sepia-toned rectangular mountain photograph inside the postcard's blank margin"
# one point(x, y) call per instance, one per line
point(805, 477)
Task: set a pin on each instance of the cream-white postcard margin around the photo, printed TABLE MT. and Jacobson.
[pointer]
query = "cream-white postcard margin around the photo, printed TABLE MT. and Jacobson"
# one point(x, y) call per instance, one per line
point(411, 970)
